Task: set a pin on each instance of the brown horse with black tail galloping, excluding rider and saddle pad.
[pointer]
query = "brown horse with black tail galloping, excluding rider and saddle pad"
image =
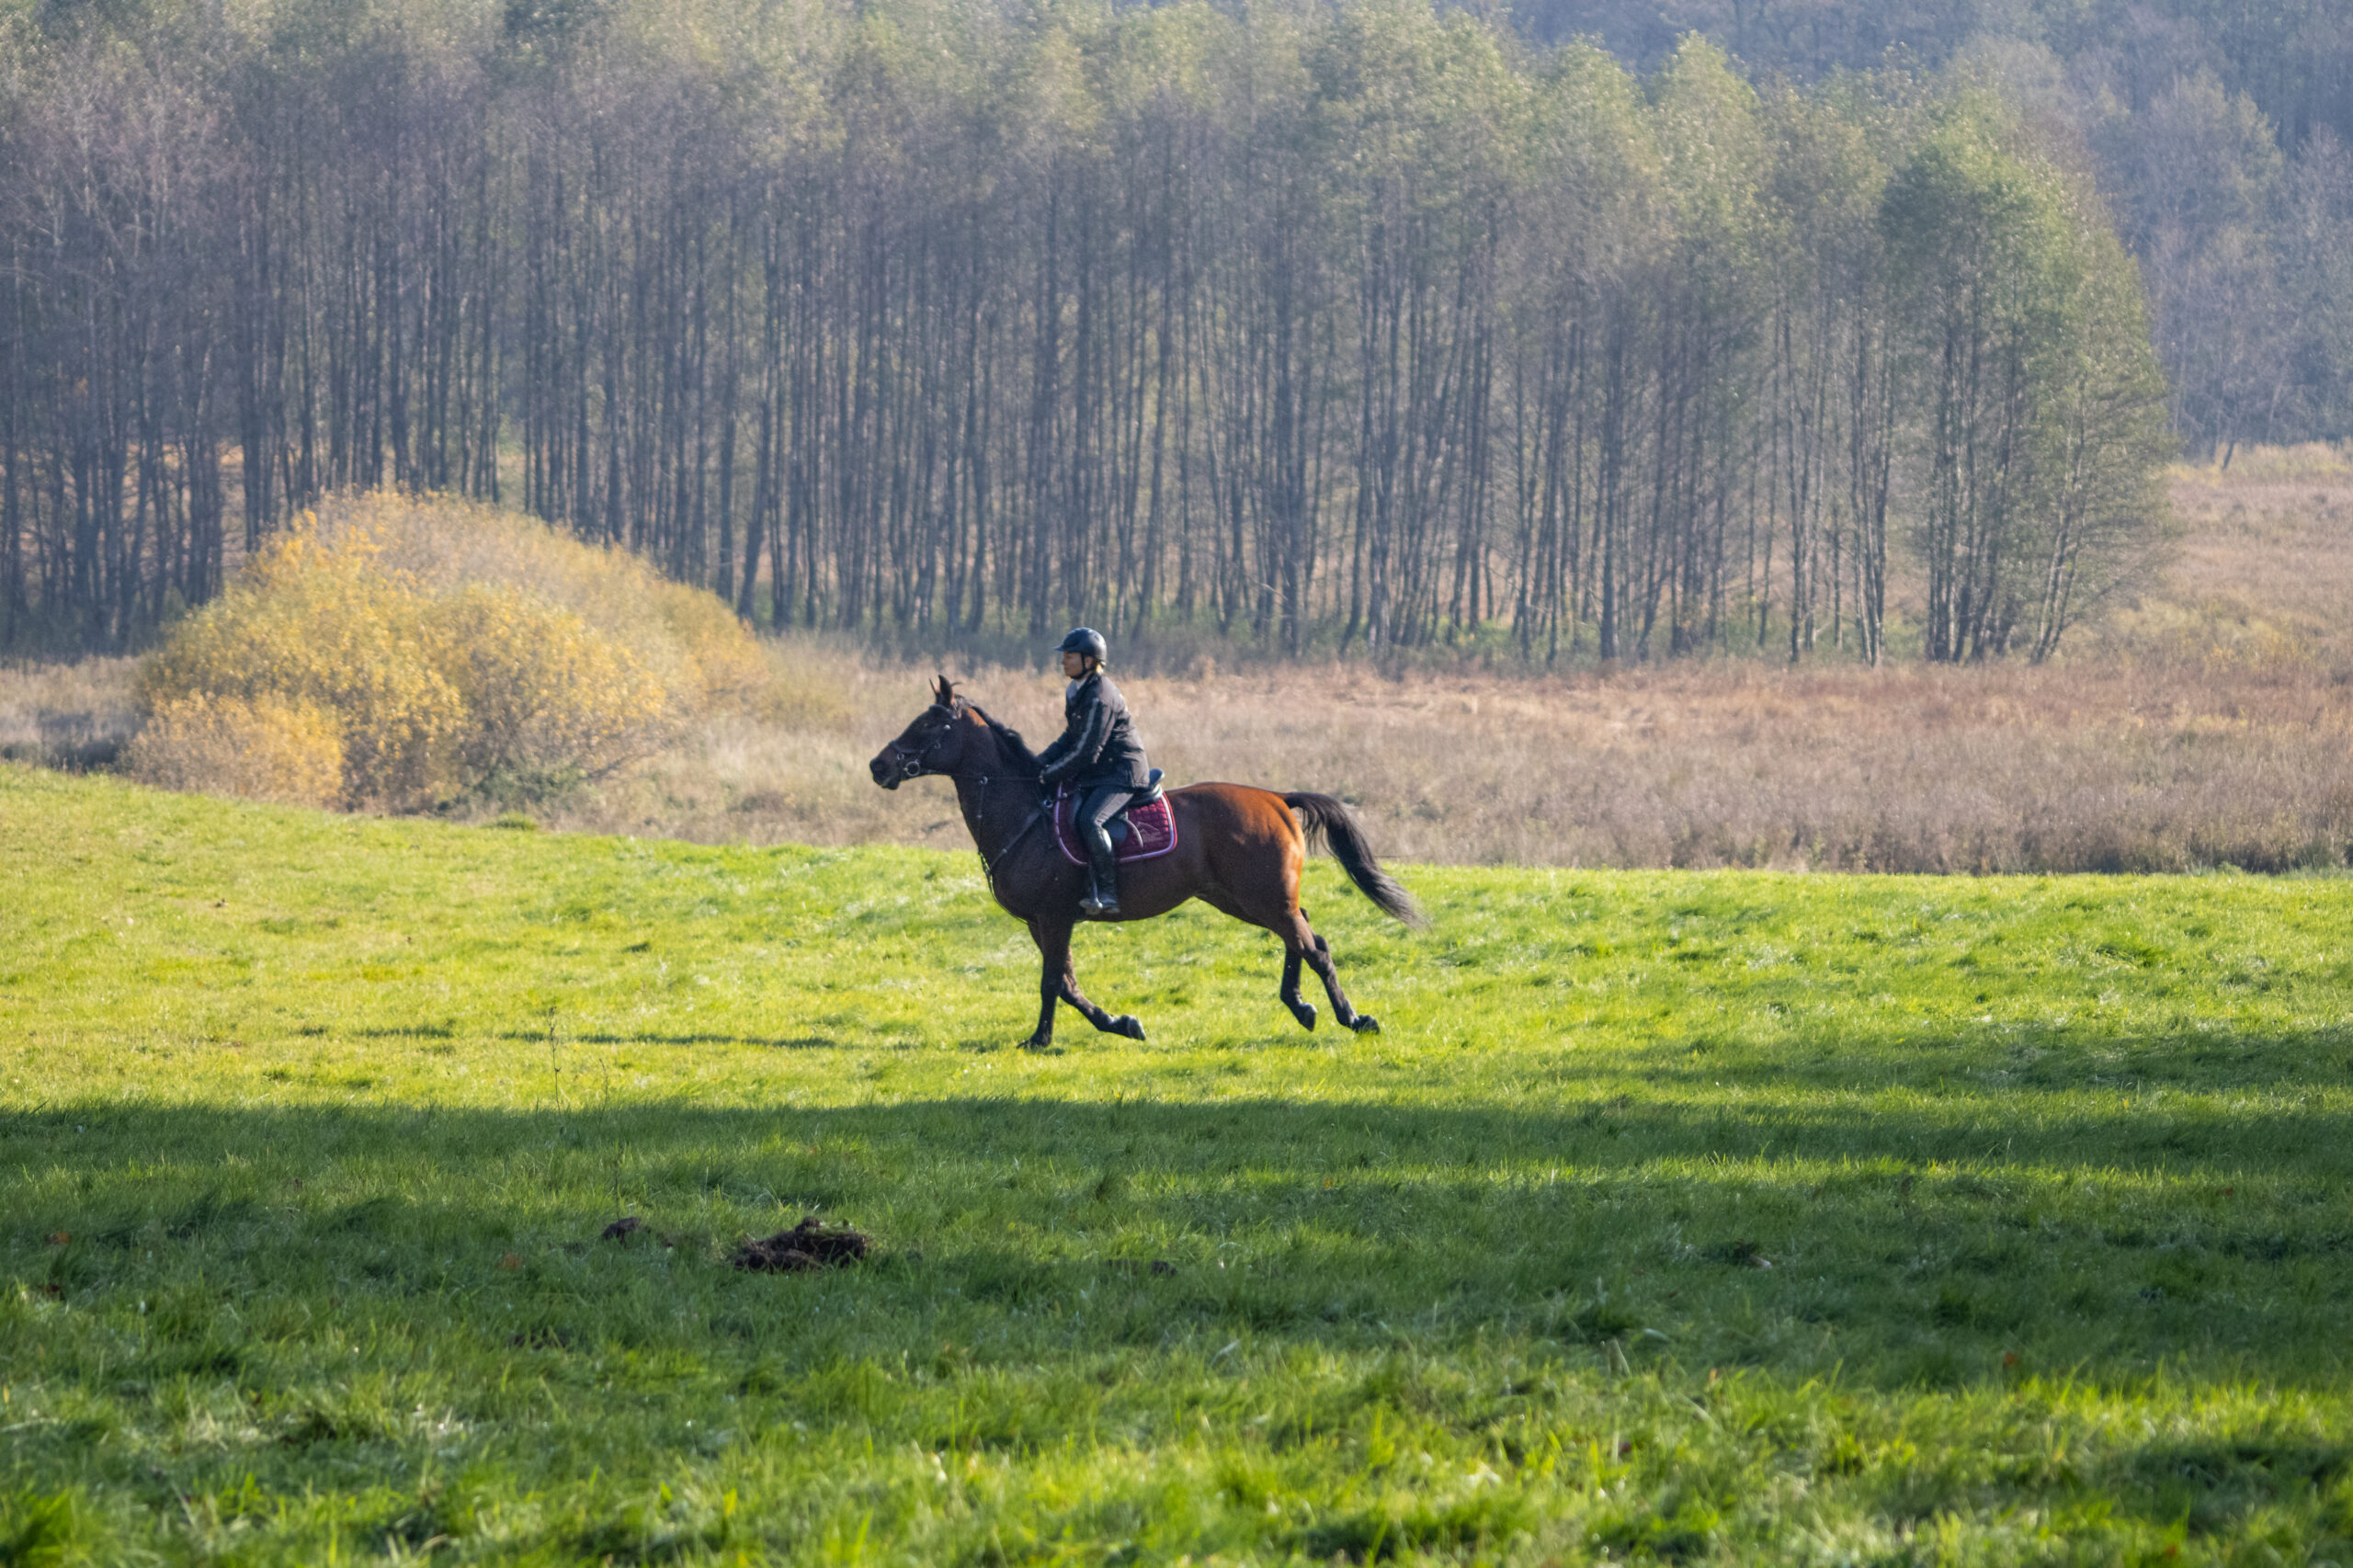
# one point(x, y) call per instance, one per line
point(1237, 851)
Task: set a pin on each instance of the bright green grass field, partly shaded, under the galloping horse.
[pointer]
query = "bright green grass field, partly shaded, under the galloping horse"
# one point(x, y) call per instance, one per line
point(1700, 1218)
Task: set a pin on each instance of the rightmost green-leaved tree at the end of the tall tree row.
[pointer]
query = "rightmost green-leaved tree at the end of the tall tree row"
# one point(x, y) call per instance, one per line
point(2041, 404)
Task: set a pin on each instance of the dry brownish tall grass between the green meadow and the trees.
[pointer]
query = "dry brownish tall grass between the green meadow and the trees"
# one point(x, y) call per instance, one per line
point(2208, 726)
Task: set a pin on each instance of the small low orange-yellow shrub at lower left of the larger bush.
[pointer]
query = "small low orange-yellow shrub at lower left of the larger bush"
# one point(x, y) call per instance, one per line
point(262, 750)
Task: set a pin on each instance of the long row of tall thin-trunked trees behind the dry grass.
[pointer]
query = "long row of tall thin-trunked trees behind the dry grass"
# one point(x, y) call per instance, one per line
point(1321, 326)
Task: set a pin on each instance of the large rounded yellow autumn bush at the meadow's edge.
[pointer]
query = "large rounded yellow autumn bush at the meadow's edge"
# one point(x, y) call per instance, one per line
point(453, 644)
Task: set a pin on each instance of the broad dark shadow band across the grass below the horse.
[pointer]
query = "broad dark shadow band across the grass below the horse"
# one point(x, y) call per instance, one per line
point(1926, 1247)
